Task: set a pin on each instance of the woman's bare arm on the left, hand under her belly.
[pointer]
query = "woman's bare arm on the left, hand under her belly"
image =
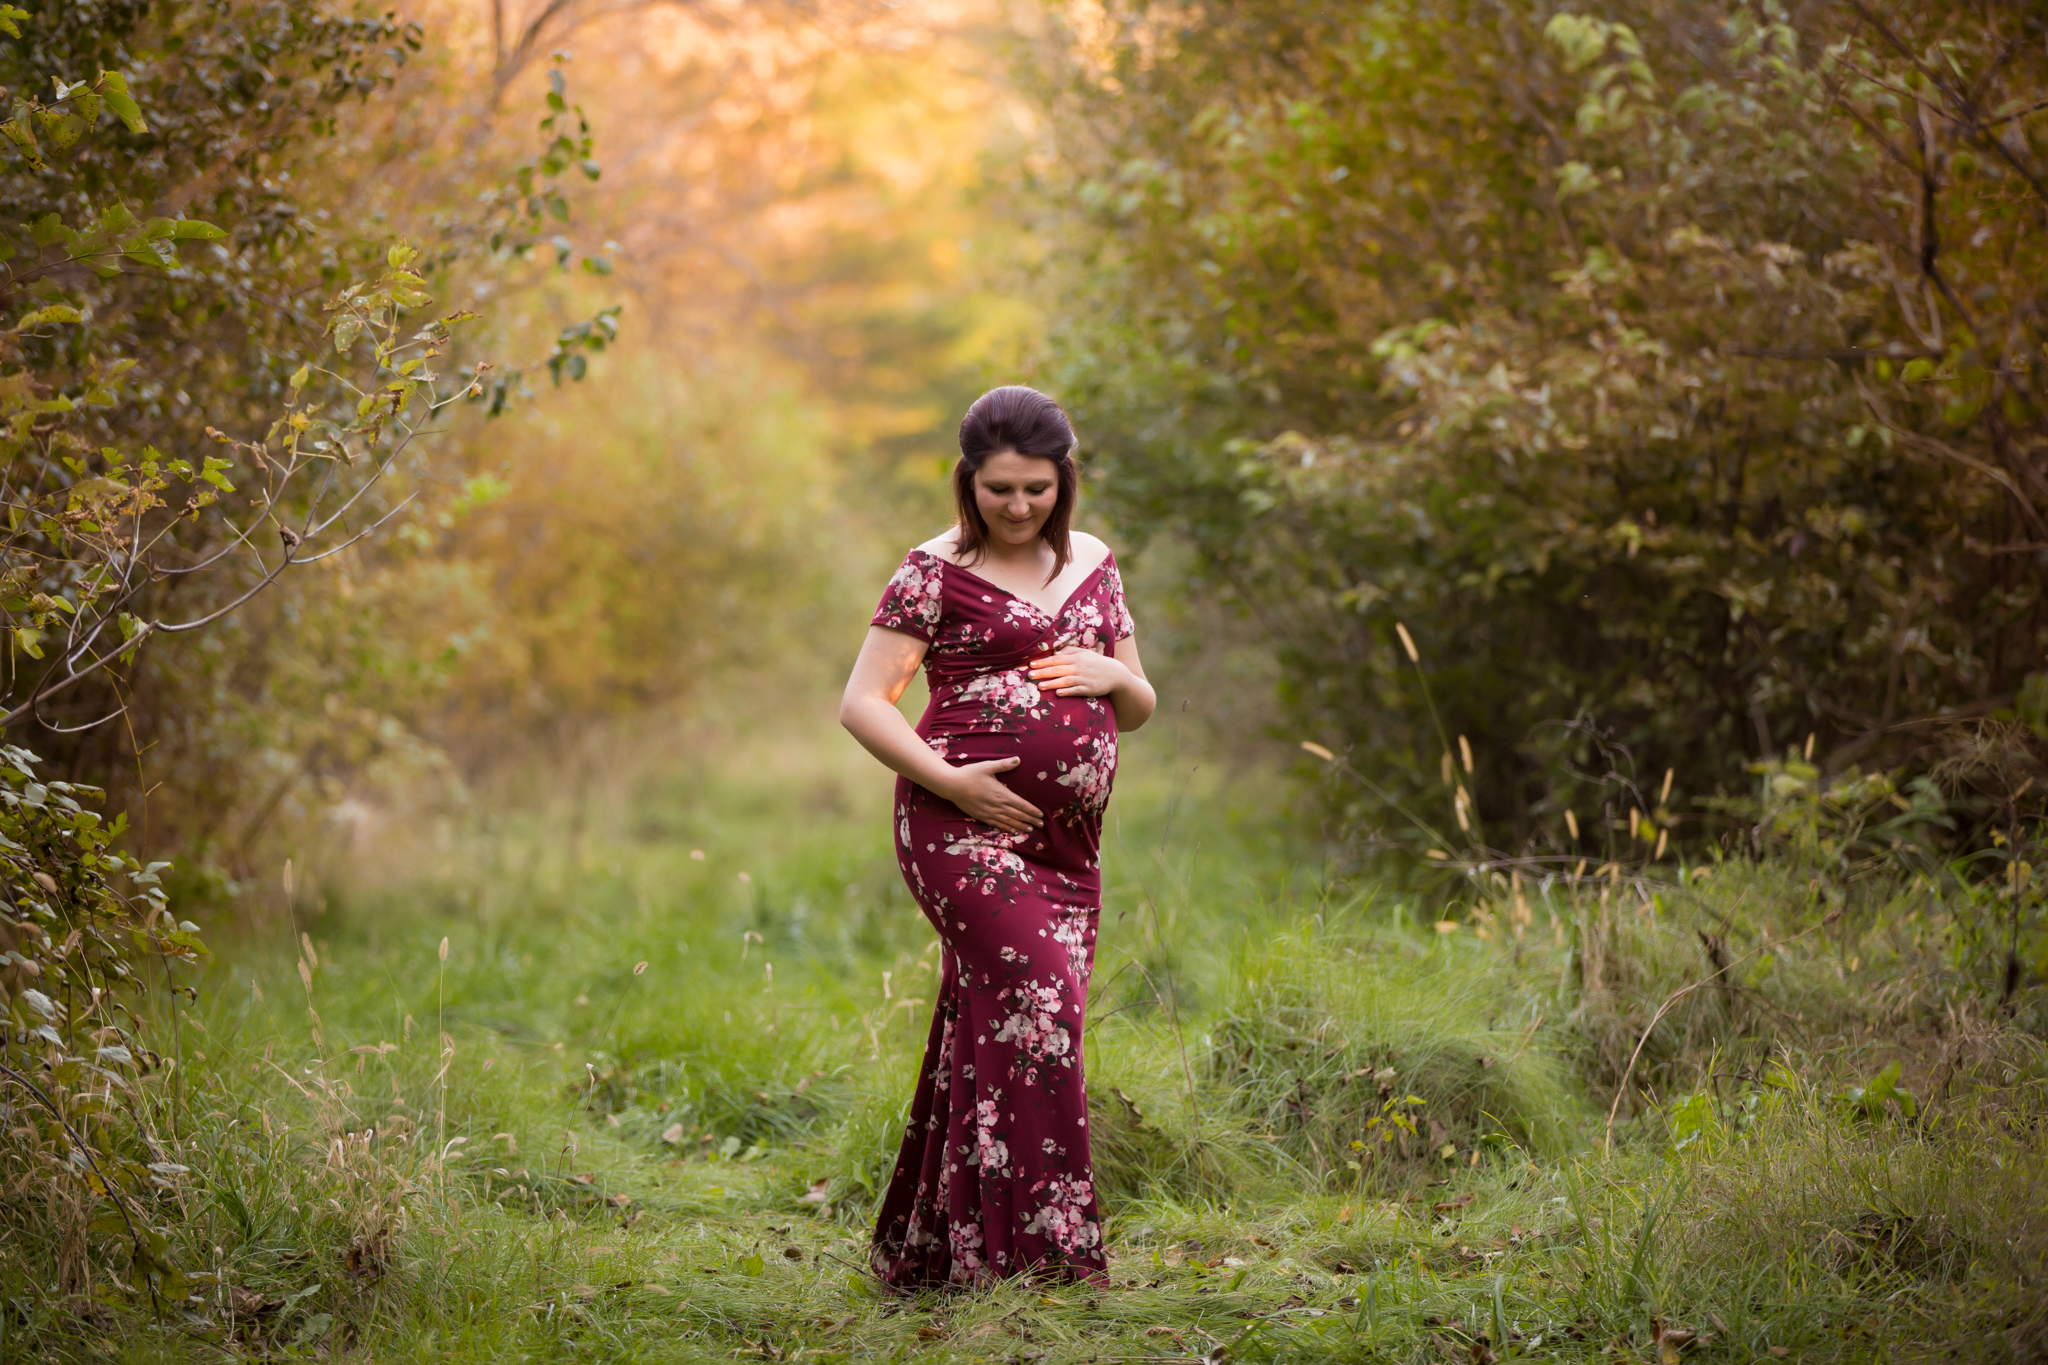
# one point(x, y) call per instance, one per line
point(884, 670)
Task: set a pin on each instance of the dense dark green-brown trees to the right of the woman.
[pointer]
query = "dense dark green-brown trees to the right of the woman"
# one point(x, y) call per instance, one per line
point(1672, 371)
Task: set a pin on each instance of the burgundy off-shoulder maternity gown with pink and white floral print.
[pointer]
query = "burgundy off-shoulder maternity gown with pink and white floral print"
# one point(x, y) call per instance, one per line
point(994, 1176)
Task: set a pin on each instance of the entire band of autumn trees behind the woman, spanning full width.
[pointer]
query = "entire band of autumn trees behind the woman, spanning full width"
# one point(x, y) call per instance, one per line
point(1668, 371)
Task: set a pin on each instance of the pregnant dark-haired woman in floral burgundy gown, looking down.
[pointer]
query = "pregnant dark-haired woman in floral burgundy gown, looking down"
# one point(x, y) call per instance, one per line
point(1027, 646)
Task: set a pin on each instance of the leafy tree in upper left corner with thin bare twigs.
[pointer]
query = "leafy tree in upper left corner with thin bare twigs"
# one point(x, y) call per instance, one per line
point(214, 363)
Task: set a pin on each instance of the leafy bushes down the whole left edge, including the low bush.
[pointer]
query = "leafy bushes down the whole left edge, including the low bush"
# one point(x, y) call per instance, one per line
point(132, 519)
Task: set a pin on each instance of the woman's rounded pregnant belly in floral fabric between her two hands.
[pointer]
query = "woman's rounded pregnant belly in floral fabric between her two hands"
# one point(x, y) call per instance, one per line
point(1068, 754)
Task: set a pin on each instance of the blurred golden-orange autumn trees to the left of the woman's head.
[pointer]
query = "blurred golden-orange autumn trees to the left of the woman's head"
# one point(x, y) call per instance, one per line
point(769, 202)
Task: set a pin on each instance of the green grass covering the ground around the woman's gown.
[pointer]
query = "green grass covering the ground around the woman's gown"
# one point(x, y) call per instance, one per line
point(1324, 1127)
